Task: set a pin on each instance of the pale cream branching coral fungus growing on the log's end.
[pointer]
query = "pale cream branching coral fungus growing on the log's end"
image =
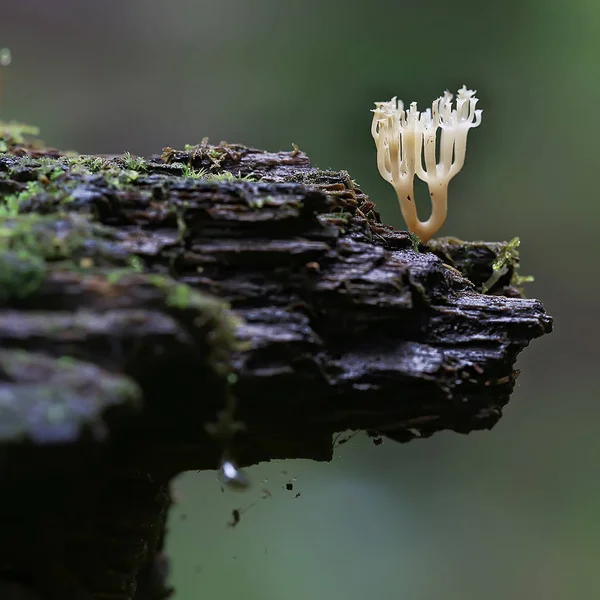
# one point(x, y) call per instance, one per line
point(406, 143)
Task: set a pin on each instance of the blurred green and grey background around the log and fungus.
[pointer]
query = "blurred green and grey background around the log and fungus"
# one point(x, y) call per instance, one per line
point(512, 513)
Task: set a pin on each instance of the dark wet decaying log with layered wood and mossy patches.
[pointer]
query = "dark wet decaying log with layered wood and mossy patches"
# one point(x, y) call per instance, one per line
point(158, 314)
